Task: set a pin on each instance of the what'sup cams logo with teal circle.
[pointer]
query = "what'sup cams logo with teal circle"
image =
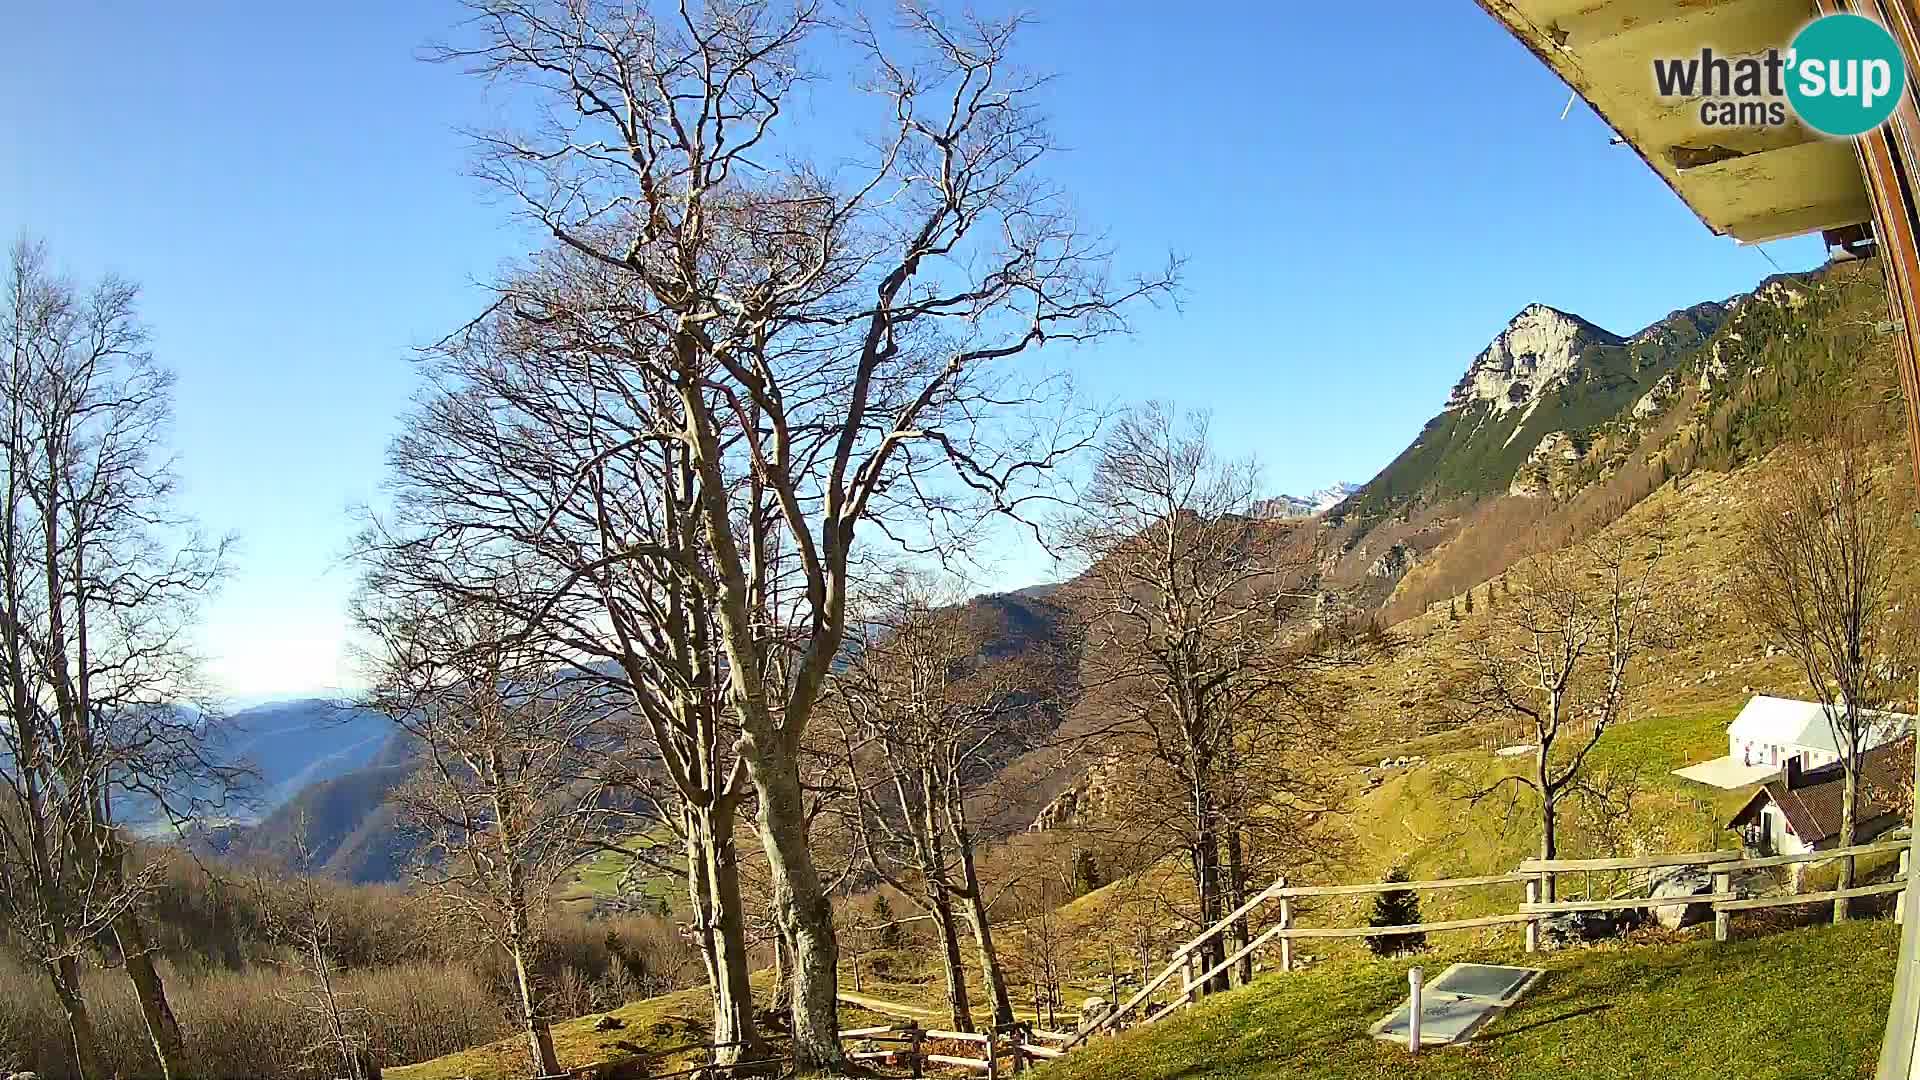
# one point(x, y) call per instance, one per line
point(1842, 76)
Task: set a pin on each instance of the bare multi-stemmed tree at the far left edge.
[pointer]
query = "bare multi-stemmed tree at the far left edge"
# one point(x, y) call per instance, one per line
point(99, 587)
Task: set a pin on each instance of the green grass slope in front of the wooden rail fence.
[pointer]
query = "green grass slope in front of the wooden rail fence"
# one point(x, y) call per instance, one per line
point(1806, 1004)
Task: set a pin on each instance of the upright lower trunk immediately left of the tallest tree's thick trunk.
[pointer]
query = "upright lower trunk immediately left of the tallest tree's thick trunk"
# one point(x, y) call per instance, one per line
point(713, 885)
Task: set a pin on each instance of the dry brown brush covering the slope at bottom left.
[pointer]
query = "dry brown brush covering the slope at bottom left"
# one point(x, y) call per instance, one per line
point(412, 991)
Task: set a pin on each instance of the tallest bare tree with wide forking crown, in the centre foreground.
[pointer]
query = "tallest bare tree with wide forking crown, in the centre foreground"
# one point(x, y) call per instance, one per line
point(828, 331)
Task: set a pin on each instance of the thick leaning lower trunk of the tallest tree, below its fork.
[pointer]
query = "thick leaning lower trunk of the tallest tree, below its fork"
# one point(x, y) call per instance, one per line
point(800, 904)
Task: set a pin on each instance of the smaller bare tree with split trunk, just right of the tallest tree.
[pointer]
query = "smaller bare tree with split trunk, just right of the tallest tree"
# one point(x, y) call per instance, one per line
point(928, 716)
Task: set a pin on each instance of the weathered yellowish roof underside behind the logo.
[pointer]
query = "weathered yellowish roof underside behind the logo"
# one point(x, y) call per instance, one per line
point(1752, 184)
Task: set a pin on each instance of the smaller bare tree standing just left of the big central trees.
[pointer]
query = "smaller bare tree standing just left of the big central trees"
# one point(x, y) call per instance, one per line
point(508, 795)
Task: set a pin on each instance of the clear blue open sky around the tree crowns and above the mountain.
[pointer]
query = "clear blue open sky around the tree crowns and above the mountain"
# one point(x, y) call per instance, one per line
point(1364, 195)
